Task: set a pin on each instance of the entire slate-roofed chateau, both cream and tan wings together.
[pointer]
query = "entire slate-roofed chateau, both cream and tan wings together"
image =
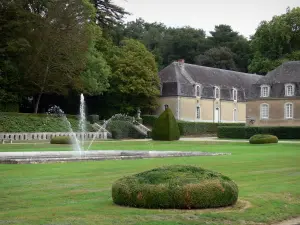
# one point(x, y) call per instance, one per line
point(203, 94)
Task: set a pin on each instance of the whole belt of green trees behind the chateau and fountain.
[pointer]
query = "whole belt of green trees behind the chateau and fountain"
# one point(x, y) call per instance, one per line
point(50, 51)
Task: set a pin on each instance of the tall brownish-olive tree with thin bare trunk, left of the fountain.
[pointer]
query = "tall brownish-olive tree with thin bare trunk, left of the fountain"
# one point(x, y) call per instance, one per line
point(58, 43)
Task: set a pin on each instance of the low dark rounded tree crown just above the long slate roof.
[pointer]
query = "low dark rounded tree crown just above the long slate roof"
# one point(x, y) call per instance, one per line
point(221, 57)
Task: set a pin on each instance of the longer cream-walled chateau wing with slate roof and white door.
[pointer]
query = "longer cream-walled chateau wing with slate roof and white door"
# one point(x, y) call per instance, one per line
point(203, 94)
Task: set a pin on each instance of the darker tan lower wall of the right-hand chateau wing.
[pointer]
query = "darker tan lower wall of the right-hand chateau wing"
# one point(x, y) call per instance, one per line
point(276, 113)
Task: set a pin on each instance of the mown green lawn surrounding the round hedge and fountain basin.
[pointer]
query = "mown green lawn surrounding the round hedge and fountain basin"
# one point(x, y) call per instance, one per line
point(80, 193)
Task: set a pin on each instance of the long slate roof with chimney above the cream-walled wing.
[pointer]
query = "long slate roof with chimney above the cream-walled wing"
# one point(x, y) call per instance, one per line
point(179, 79)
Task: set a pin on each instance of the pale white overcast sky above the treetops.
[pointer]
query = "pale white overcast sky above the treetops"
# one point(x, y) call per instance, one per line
point(243, 16)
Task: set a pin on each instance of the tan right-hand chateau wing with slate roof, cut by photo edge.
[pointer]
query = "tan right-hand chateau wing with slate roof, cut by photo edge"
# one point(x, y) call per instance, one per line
point(275, 98)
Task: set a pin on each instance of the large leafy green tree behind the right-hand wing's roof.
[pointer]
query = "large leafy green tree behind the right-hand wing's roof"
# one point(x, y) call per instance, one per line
point(276, 41)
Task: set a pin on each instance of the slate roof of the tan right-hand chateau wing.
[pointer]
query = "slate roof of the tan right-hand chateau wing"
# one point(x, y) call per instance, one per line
point(288, 72)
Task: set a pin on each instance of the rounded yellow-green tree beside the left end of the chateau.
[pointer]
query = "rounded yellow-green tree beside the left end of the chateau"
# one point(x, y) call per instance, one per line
point(134, 82)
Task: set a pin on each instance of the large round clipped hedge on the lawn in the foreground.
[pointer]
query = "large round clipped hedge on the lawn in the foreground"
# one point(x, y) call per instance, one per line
point(175, 187)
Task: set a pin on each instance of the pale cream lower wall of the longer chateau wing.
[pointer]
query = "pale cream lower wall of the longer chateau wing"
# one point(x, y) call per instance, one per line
point(210, 110)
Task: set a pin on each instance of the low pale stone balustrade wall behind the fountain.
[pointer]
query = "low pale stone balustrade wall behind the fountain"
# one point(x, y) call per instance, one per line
point(49, 135)
